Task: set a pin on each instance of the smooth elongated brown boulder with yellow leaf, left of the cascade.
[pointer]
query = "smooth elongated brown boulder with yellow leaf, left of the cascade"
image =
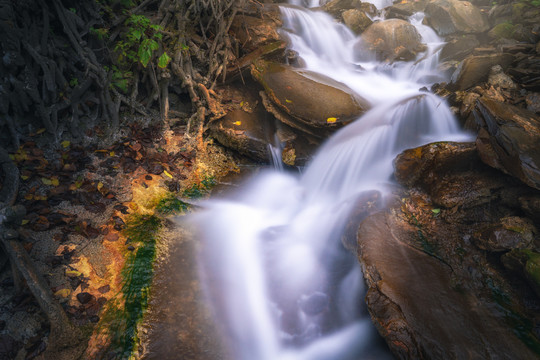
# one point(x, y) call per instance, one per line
point(312, 100)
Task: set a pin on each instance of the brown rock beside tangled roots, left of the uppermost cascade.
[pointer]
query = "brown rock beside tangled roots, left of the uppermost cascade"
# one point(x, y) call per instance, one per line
point(254, 32)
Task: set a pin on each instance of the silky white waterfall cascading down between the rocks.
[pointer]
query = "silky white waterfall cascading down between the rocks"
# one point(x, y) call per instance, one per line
point(280, 282)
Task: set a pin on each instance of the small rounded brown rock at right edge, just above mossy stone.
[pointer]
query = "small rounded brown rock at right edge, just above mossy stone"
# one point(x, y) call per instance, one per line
point(510, 233)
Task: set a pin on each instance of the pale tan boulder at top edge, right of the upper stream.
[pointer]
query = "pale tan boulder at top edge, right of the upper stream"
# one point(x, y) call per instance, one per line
point(454, 16)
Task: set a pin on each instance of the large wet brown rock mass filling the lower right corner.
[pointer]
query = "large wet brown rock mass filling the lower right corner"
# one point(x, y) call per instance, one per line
point(453, 279)
